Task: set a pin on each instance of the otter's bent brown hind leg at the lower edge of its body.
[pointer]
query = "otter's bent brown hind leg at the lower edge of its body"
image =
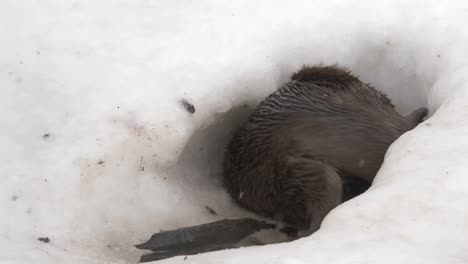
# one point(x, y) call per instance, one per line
point(310, 189)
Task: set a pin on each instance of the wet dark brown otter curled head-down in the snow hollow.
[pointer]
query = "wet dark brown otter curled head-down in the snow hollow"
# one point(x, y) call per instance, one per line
point(295, 157)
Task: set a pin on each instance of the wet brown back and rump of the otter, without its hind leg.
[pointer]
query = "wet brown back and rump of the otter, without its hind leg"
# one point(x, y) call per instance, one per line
point(344, 123)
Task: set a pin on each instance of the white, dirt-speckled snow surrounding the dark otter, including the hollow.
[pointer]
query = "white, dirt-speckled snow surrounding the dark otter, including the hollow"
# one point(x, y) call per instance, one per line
point(97, 153)
